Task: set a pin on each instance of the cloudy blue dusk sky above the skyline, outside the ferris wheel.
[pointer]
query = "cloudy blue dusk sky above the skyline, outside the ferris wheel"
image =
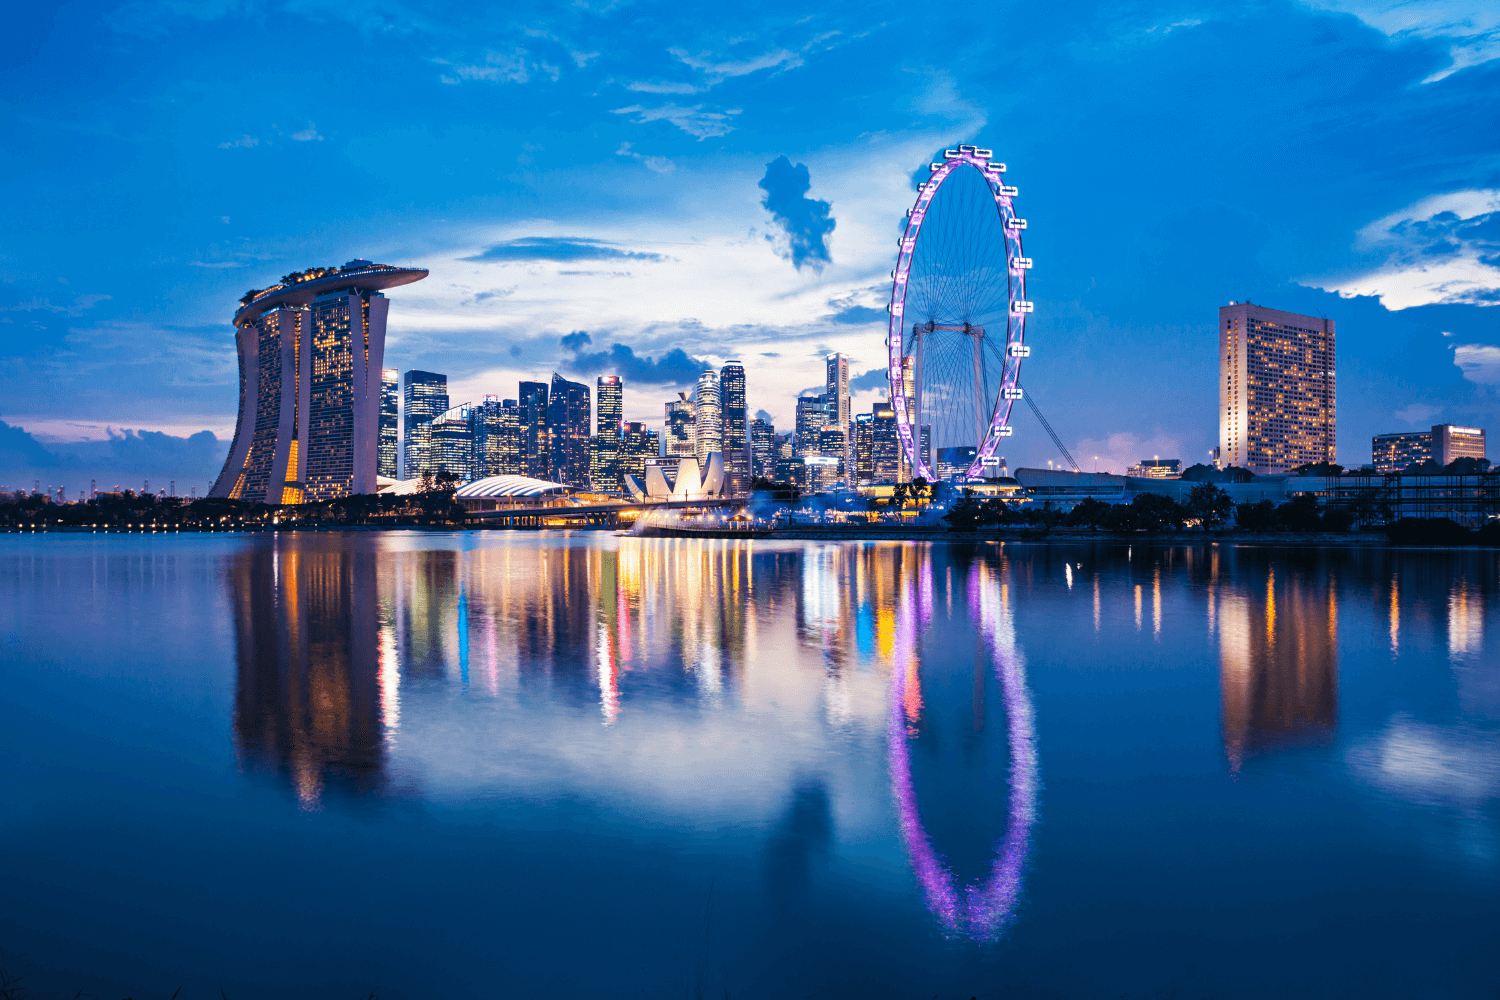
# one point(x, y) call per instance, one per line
point(617, 170)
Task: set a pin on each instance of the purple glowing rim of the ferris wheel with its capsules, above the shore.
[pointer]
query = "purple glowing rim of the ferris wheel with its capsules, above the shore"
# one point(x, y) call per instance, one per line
point(1018, 307)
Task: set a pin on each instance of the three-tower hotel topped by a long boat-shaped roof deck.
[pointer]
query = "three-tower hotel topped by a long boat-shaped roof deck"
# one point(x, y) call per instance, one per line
point(311, 353)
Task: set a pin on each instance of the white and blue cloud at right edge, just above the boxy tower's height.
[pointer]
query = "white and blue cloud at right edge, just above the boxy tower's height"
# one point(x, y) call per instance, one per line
point(1442, 250)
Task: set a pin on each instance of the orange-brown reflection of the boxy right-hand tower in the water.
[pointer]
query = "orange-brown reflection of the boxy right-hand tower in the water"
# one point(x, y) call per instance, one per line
point(1279, 662)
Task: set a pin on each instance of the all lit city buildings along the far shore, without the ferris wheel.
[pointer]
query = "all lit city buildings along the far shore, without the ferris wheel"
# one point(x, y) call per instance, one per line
point(322, 418)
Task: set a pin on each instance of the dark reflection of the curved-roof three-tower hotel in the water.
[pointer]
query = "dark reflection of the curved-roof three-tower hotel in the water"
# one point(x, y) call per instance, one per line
point(311, 690)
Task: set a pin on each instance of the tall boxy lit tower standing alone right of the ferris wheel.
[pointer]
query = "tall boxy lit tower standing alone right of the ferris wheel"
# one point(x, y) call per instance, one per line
point(1277, 395)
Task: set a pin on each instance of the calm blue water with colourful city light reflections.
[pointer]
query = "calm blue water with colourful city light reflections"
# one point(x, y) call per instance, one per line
point(581, 765)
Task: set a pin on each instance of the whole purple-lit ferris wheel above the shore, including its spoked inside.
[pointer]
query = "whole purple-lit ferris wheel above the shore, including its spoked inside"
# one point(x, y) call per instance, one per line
point(959, 314)
